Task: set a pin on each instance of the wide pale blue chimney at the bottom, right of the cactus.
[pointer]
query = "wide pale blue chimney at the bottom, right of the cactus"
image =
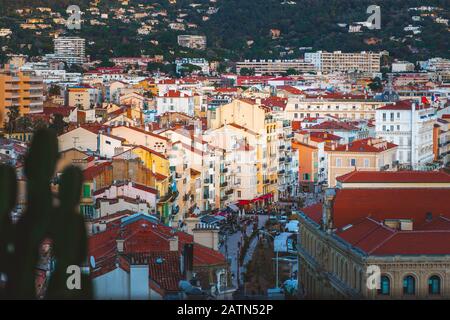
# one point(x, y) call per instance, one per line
point(139, 278)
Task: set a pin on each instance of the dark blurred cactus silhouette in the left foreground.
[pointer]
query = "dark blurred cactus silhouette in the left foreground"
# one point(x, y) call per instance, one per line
point(62, 225)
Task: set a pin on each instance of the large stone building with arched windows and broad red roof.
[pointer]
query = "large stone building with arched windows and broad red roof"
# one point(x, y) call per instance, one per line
point(378, 235)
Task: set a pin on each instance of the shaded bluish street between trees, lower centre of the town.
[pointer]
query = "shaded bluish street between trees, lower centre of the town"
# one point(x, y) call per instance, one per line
point(230, 249)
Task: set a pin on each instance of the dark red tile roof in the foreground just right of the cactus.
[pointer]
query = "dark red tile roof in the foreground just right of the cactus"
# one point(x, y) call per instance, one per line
point(148, 239)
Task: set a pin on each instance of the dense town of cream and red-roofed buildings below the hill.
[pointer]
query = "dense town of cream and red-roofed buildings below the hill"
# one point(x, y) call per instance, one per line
point(278, 179)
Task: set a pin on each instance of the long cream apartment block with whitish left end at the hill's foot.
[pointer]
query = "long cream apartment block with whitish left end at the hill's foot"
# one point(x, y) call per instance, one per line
point(338, 61)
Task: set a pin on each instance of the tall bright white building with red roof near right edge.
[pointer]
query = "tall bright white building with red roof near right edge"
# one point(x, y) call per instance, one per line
point(409, 125)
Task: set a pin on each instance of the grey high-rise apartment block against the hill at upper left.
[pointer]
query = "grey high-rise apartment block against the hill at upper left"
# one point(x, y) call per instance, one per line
point(71, 50)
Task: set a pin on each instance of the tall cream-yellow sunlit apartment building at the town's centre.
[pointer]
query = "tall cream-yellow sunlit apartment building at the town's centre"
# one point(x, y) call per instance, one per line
point(271, 136)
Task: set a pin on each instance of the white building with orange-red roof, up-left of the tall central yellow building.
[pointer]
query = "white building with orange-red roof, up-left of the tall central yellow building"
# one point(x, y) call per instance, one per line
point(175, 101)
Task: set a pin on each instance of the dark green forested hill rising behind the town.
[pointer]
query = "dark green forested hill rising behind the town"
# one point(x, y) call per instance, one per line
point(236, 29)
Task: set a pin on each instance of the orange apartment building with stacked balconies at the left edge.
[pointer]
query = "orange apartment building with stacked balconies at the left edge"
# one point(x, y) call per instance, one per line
point(20, 89)
